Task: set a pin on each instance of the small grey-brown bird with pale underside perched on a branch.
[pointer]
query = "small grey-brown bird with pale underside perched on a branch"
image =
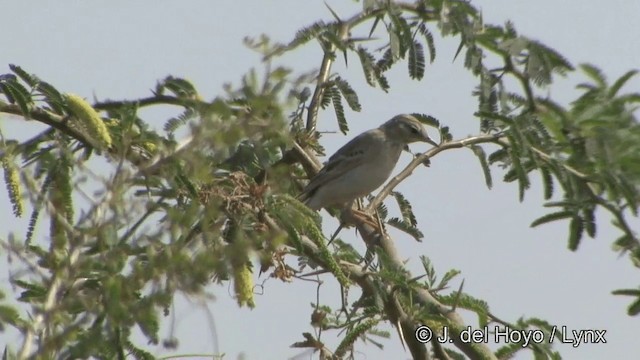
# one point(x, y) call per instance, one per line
point(363, 164)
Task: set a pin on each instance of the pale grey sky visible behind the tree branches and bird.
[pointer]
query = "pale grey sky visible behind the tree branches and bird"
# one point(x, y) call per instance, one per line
point(120, 49)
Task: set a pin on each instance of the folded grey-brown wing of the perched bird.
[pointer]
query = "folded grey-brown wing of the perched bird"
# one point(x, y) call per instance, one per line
point(346, 158)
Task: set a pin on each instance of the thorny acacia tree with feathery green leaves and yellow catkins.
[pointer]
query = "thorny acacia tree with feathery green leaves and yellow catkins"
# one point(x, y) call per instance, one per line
point(172, 216)
